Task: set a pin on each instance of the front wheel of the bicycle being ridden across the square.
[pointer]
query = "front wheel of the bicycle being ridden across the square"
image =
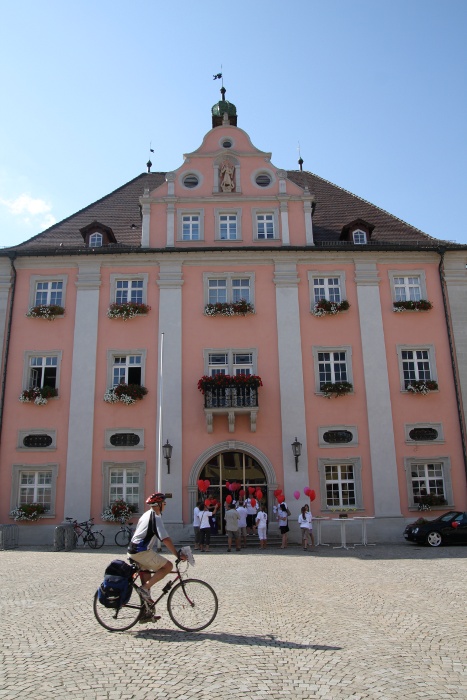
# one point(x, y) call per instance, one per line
point(192, 605)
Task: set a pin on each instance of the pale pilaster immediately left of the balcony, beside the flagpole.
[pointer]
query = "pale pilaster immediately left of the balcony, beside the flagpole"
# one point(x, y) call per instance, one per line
point(170, 323)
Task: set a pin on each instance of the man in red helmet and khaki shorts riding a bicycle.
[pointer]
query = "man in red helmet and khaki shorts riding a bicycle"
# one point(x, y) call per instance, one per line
point(149, 529)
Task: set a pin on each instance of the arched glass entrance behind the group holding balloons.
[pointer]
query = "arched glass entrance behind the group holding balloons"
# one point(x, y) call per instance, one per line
point(232, 461)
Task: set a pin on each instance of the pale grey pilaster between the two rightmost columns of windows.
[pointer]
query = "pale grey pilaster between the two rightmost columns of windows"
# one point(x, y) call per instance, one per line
point(381, 429)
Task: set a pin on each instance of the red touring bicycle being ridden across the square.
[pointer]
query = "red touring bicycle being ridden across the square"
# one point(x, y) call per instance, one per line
point(192, 604)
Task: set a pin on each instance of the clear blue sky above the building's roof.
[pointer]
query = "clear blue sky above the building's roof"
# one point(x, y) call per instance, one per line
point(373, 92)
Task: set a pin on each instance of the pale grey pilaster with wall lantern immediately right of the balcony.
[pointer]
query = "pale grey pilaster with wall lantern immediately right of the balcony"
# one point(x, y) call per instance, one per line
point(290, 378)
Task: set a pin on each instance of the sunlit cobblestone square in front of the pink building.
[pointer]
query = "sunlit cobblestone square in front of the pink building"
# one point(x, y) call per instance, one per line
point(383, 622)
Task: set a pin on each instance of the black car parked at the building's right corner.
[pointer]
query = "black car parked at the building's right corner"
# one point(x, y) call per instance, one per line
point(450, 528)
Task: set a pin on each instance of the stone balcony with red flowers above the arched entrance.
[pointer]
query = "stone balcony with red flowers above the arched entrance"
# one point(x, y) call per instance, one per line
point(231, 396)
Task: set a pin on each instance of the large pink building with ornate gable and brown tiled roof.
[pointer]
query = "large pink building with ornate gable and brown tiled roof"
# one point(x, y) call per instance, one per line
point(245, 270)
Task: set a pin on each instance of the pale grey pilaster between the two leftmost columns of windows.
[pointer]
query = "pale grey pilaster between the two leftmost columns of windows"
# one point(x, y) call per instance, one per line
point(83, 381)
